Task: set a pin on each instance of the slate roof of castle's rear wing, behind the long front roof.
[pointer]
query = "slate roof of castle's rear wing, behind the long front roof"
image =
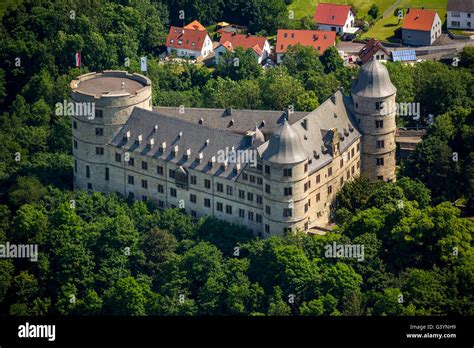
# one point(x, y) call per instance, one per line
point(236, 121)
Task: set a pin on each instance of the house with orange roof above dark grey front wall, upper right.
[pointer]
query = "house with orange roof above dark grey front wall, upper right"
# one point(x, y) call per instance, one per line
point(421, 27)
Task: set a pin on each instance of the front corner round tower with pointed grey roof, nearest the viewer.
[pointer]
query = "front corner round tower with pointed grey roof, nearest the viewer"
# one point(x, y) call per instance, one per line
point(285, 168)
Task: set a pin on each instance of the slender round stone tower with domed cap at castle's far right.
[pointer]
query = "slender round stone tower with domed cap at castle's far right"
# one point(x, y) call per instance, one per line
point(373, 95)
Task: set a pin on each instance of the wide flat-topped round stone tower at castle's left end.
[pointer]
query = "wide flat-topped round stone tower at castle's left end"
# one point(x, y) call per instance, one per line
point(102, 103)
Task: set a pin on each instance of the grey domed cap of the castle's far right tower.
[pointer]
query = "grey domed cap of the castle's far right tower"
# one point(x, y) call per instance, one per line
point(373, 81)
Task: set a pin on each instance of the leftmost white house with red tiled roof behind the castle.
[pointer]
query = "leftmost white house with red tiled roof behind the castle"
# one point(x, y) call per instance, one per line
point(188, 43)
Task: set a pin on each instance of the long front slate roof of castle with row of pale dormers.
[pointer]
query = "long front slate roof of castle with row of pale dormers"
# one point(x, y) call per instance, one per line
point(194, 136)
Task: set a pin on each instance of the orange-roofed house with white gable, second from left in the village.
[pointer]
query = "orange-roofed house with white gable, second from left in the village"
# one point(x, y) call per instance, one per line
point(229, 41)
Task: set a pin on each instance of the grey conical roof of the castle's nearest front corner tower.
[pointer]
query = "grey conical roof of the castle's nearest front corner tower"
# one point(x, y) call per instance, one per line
point(284, 146)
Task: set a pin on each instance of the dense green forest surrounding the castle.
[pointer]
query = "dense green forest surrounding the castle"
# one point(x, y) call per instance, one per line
point(103, 254)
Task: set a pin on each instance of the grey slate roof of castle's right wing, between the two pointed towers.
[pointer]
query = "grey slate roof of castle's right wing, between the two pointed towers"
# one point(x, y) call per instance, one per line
point(320, 126)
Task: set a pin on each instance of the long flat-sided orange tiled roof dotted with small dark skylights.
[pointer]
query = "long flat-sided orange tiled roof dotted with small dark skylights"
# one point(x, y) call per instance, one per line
point(318, 39)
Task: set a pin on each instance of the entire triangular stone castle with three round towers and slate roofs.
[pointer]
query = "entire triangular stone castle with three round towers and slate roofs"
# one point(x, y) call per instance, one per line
point(193, 158)
